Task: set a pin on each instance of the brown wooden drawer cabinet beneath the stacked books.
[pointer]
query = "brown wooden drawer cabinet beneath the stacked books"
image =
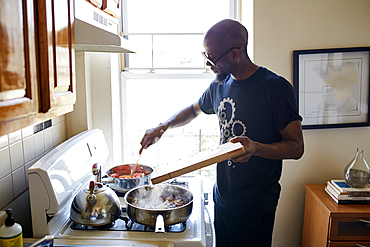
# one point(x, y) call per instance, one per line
point(328, 224)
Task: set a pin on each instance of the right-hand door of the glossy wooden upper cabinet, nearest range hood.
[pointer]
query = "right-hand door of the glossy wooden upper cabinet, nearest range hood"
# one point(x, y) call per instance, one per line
point(56, 53)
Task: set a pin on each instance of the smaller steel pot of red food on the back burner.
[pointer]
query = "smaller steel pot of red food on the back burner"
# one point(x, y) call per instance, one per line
point(123, 185)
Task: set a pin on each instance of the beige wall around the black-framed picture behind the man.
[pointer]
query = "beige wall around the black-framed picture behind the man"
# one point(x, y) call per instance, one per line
point(279, 28)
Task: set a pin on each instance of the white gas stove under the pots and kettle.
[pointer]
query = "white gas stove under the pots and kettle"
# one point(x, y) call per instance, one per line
point(55, 180)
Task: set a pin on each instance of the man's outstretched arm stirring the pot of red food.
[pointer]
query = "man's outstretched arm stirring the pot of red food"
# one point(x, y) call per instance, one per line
point(181, 118)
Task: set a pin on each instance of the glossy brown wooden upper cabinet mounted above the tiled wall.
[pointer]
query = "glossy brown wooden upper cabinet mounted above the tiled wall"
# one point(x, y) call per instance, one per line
point(37, 80)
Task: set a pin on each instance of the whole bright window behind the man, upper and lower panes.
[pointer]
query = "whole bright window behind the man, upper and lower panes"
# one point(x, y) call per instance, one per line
point(166, 74)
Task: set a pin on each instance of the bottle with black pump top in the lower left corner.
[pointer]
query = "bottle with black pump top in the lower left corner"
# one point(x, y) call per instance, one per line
point(11, 232)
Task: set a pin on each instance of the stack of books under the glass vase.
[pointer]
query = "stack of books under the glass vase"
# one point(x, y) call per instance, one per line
point(342, 193)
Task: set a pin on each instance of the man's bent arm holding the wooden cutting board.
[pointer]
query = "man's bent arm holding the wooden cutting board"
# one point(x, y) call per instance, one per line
point(292, 146)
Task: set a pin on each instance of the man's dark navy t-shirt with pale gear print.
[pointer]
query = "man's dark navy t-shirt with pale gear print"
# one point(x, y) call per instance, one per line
point(258, 107)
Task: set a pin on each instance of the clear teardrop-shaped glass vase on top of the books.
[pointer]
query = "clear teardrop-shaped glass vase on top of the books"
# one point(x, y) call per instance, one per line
point(357, 172)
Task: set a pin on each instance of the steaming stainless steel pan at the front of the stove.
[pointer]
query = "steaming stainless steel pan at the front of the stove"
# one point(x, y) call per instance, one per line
point(158, 218)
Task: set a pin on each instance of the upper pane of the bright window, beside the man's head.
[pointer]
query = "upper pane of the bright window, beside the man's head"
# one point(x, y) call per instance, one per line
point(168, 34)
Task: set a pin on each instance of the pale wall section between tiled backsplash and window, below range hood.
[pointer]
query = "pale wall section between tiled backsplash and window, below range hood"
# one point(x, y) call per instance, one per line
point(98, 102)
